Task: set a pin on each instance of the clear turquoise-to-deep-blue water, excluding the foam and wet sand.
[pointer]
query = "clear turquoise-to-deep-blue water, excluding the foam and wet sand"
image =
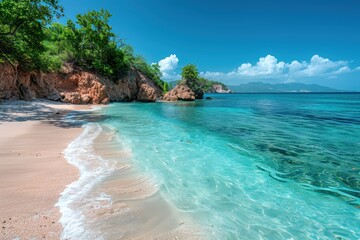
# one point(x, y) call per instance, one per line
point(252, 166)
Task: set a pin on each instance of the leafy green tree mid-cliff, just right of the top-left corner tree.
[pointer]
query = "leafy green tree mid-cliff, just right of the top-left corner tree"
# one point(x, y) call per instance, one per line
point(94, 44)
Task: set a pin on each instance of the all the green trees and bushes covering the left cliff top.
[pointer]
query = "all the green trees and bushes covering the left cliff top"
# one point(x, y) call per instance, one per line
point(31, 40)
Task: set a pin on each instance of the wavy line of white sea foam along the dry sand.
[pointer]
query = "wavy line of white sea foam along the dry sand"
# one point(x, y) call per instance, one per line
point(93, 169)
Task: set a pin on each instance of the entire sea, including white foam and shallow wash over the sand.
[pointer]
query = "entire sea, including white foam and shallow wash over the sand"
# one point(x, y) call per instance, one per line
point(236, 166)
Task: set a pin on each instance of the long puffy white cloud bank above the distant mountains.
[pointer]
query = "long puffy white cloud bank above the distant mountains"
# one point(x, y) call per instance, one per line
point(270, 68)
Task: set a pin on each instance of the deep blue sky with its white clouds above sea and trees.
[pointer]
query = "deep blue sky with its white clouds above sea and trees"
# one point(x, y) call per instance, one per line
point(309, 41)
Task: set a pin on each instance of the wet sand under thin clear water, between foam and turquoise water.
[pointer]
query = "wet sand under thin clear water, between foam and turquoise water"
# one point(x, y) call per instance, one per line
point(127, 203)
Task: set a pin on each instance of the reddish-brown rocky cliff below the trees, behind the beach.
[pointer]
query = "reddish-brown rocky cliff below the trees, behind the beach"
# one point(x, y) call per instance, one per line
point(75, 86)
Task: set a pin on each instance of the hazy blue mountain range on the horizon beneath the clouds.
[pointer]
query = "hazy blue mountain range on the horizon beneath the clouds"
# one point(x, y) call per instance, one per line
point(260, 87)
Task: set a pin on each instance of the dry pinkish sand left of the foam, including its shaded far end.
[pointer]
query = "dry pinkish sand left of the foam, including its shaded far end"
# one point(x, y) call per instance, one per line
point(33, 171)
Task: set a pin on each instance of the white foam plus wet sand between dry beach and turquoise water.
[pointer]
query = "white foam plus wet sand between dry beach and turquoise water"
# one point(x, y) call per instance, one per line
point(112, 199)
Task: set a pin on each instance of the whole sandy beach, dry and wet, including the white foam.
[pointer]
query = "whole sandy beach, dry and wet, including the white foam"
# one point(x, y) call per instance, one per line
point(52, 190)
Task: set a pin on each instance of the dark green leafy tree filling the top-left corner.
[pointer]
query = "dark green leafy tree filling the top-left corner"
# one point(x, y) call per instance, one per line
point(22, 25)
